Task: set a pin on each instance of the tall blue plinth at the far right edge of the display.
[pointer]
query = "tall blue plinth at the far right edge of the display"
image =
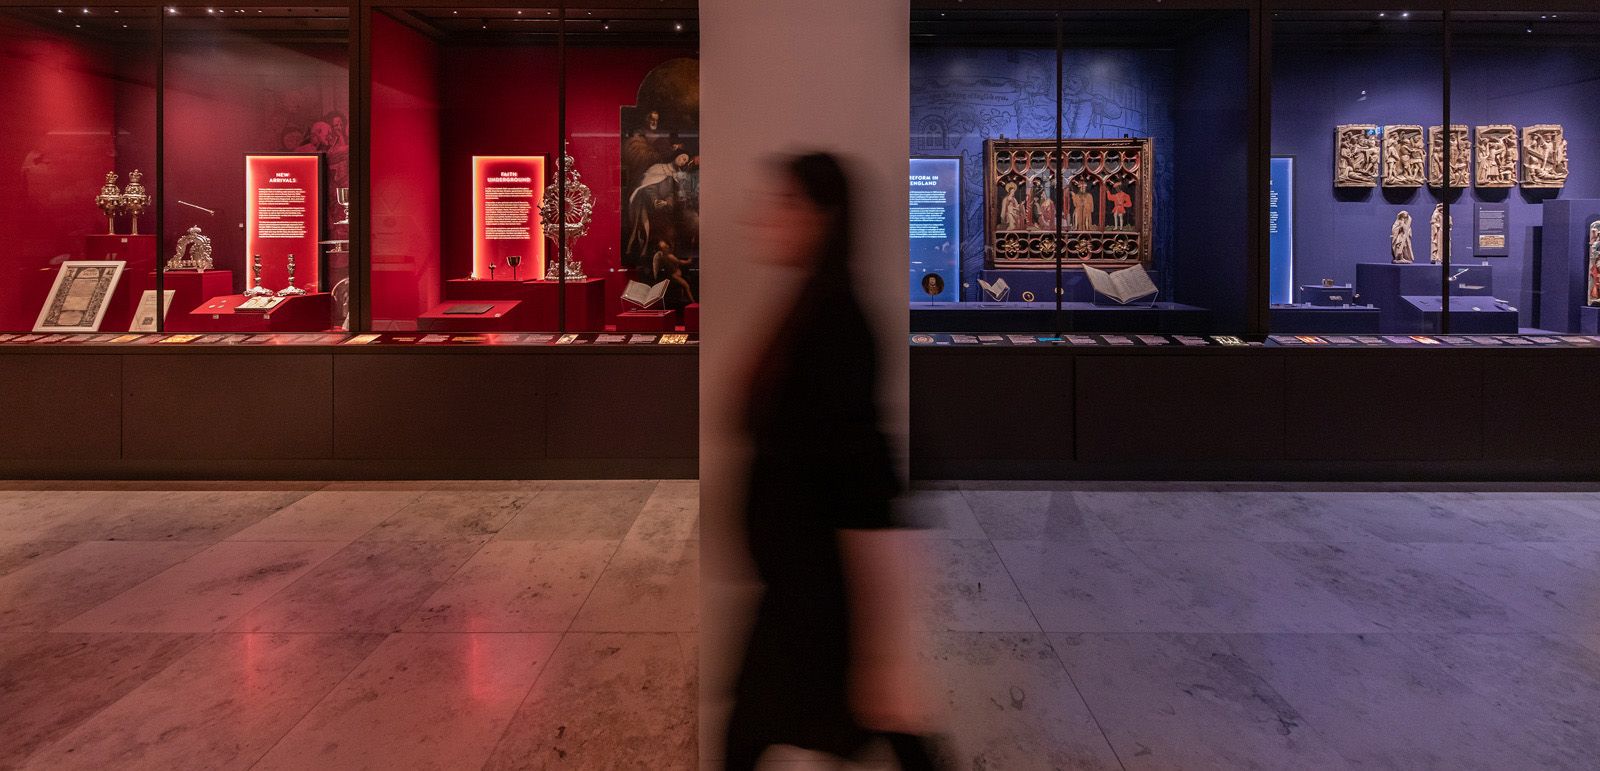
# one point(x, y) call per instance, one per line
point(1562, 265)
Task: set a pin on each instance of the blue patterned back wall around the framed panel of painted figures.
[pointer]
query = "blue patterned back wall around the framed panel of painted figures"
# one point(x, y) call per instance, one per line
point(961, 98)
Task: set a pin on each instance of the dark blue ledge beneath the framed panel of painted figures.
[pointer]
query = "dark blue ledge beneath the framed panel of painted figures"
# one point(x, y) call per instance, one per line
point(1076, 318)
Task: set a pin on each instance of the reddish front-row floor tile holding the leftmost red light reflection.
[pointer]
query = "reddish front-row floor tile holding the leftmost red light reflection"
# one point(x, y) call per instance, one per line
point(220, 708)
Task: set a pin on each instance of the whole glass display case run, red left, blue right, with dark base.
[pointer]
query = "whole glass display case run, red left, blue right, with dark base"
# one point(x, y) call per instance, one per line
point(1287, 236)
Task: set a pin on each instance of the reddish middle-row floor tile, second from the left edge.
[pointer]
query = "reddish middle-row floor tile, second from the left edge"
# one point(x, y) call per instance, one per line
point(206, 593)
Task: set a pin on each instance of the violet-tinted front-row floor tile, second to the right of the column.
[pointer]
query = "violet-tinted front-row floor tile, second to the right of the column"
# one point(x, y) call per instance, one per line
point(1190, 703)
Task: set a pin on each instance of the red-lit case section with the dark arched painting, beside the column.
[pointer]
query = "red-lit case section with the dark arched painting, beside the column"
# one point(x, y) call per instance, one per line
point(478, 222)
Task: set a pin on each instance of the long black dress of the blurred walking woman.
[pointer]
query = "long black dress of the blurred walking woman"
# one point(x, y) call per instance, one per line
point(822, 466)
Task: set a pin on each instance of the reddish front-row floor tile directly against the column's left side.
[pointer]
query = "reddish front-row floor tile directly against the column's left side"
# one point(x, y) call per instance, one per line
point(607, 701)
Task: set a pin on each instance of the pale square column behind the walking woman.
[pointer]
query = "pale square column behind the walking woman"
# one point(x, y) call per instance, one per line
point(788, 76)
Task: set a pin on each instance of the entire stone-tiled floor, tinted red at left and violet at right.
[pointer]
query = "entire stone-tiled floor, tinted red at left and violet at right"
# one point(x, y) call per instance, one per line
point(554, 625)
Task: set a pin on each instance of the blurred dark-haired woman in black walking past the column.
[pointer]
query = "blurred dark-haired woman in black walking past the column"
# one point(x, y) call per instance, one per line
point(828, 666)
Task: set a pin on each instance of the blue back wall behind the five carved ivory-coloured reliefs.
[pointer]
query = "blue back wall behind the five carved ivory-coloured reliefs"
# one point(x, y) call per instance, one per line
point(1319, 89)
